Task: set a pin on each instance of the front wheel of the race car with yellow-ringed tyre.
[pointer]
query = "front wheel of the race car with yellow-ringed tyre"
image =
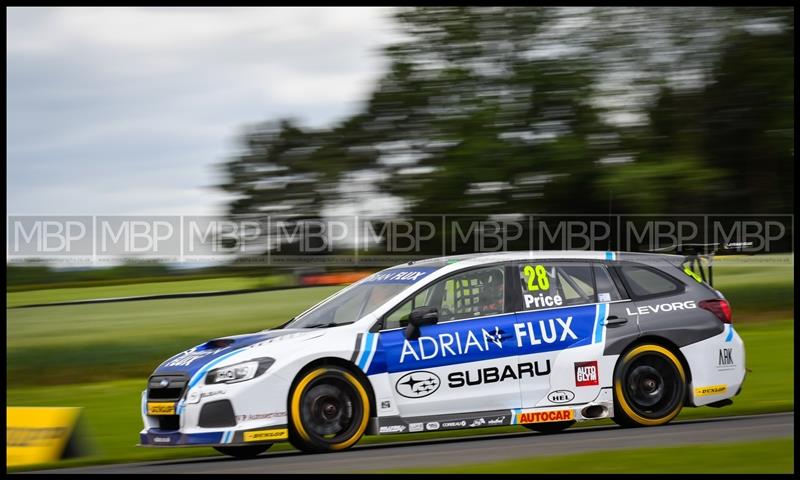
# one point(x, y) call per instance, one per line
point(328, 410)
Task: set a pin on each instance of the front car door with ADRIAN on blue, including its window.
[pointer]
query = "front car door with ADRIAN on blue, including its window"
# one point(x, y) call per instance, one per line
point(464, 363)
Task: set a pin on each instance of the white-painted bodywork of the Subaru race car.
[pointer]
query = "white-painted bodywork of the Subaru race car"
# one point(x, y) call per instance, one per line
point(262, 402)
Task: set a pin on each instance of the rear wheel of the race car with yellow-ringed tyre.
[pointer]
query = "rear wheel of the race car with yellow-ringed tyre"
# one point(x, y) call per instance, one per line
point(649, 386)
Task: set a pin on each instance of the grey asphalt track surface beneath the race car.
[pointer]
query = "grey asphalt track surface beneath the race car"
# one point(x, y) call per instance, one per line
point(479, 449)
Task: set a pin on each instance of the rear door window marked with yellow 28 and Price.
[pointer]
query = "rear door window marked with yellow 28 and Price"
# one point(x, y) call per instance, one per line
point(553, 284)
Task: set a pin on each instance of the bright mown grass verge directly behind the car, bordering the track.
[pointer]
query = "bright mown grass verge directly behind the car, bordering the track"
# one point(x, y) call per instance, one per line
point(112, 416)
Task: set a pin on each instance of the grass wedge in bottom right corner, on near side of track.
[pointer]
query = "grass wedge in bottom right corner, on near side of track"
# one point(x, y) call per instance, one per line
point(771, 456)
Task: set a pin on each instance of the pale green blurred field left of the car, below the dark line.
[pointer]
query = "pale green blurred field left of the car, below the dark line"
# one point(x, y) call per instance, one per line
point(130, 339)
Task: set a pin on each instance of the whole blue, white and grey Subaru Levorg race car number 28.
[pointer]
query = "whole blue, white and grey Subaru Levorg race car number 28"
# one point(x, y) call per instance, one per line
point(540, 339)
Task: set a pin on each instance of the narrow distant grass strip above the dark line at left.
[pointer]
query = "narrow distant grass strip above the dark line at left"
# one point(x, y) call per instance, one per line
point(53, 295)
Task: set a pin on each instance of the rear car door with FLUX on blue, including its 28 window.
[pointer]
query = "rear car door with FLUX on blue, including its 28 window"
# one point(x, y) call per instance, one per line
point(561, 328)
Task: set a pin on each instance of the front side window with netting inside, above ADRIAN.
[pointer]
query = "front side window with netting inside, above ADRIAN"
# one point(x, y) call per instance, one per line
point(474, 293)
